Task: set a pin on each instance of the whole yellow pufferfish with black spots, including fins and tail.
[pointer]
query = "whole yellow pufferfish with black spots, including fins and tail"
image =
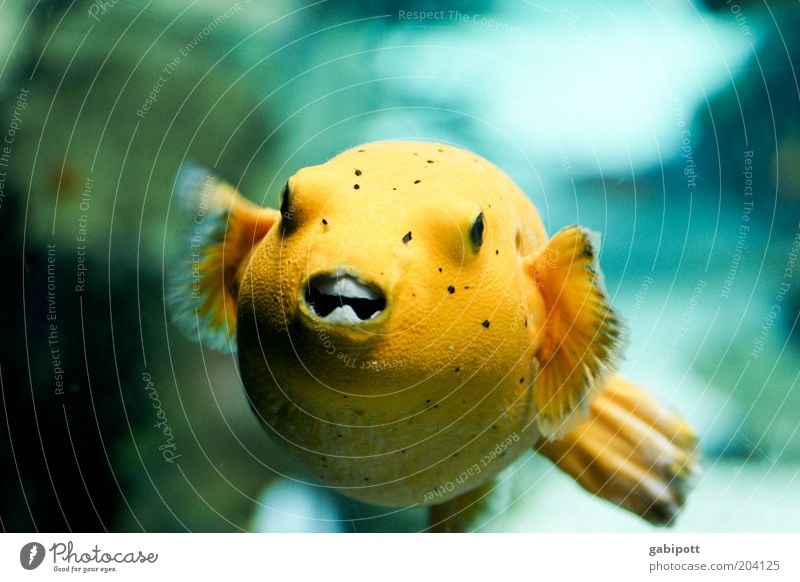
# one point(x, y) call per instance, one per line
point(406, 330)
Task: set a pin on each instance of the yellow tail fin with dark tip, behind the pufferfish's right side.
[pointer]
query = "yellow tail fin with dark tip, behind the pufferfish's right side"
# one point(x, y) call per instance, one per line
point(632, 451)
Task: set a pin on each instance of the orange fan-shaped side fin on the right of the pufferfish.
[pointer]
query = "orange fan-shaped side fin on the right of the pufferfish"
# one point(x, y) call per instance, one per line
point(581, 331)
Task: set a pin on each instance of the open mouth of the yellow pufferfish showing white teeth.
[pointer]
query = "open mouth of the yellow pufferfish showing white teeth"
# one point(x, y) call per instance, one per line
point(342, 298)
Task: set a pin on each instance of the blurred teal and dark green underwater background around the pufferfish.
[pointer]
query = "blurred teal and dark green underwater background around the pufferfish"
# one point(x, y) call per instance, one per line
point(672, 128)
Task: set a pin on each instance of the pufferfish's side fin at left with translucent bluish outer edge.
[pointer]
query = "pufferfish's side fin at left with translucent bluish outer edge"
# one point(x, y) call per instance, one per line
point(222, 228)
